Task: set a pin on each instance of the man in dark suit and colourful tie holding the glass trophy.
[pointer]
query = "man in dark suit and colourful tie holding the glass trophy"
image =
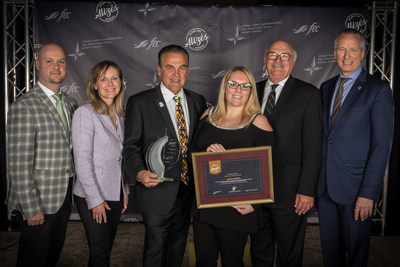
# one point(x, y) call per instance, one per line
point(150, 115)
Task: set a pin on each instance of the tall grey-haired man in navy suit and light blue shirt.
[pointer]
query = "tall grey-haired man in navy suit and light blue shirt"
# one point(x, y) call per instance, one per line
point(357, 137)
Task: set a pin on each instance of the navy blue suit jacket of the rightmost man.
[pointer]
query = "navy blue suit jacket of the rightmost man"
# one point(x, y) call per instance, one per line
point(356, 149)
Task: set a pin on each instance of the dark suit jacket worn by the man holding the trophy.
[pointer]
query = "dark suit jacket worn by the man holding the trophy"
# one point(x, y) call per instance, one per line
point(147, 118)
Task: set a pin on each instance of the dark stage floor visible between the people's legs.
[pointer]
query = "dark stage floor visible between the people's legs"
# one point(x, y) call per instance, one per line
point(128, 248)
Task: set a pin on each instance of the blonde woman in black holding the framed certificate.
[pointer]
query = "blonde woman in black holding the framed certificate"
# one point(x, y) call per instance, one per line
point(235, 122)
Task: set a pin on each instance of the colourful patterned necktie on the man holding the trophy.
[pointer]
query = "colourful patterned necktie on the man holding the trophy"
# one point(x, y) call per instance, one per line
point(183, 138)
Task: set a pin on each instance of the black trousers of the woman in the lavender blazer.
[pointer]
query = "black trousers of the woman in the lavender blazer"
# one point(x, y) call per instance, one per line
point(100, 236)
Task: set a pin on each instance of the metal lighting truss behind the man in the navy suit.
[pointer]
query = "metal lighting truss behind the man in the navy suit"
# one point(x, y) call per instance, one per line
point(382, 48)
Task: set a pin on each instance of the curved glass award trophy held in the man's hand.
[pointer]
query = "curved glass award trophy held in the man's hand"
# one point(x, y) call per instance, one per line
point(162, 155)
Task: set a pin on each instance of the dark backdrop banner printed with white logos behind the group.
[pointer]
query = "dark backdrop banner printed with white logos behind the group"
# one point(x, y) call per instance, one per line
point(216, 37)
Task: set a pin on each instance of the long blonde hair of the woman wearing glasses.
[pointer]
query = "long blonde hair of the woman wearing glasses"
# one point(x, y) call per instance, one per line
point(252, 105)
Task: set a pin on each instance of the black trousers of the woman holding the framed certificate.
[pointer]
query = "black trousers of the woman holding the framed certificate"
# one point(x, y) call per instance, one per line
point(210, 241)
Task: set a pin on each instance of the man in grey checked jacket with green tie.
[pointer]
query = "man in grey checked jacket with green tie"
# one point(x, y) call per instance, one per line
point(40, 161)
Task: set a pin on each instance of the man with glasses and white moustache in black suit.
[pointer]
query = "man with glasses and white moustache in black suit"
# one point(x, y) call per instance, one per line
point(293, 108)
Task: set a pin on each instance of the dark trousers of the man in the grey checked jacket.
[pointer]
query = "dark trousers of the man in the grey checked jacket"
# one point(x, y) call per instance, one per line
point(42, 245)
